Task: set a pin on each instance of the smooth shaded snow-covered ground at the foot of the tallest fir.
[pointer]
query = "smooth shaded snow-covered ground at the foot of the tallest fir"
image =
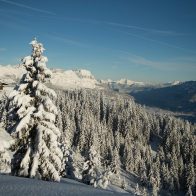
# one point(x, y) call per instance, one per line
point(18, 186)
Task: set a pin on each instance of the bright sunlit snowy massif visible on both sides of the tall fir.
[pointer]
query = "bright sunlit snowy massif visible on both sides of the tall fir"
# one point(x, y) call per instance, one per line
point(64, 79)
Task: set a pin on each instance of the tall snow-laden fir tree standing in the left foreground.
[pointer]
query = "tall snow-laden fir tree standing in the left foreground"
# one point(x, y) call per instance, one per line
point(34, 114)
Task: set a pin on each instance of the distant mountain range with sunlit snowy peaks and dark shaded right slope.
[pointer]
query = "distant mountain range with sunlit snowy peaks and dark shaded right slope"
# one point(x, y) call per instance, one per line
point(173, 96)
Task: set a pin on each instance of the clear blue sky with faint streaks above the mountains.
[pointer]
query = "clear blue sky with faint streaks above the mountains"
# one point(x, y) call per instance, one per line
point(143, 40)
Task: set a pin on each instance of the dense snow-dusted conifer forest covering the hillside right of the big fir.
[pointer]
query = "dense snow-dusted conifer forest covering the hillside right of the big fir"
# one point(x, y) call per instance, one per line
point(108, 131)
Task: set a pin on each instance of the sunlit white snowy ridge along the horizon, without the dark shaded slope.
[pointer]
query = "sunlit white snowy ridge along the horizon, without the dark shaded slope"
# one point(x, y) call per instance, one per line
point(79, 78)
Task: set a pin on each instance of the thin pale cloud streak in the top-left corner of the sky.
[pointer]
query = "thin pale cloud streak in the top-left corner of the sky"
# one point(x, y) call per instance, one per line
point(28, 7)
